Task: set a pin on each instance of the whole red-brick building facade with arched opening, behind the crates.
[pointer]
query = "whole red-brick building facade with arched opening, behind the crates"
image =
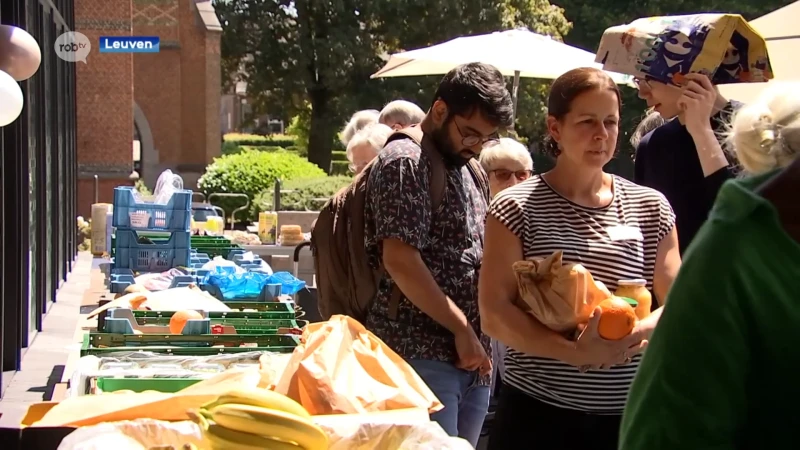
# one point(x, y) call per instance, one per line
point(176, 89)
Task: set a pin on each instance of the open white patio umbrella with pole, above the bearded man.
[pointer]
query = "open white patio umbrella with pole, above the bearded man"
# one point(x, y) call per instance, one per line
point(515, 53)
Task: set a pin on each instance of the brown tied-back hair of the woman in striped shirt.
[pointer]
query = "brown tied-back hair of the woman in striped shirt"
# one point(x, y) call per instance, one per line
point(566, 88)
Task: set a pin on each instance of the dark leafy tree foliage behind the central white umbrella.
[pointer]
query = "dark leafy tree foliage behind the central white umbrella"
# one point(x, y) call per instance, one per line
point(323, 53)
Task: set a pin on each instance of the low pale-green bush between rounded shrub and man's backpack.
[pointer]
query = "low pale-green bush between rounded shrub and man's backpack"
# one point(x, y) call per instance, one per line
point(307, 194)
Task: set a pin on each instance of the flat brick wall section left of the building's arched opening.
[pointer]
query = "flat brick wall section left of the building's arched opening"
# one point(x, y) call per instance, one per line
point(104, 100)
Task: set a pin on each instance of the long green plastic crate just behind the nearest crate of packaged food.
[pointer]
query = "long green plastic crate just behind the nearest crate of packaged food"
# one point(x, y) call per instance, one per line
point(105, 343)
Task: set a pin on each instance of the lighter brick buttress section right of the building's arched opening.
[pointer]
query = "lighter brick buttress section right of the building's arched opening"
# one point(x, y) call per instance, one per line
point(178, 89)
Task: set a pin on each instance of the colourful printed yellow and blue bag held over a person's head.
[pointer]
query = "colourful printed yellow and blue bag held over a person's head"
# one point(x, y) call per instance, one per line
point(722, 46)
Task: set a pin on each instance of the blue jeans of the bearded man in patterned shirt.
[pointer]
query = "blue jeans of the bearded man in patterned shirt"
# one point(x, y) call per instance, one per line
point(465, 403)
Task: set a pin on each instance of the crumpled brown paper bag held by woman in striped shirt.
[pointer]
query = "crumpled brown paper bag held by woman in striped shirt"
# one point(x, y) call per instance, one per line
point(559, 295)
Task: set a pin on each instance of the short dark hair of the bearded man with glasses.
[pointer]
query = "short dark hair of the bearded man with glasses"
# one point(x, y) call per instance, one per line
point(477, 85)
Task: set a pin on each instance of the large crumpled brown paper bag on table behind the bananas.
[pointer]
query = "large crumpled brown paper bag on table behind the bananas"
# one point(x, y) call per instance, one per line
point(341, 368)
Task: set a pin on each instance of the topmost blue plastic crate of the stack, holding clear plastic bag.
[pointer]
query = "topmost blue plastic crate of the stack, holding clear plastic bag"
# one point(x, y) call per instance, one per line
point(174, 216)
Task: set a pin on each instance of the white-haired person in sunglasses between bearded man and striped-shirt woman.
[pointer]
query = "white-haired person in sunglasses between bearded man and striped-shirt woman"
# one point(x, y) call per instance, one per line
point(507, 162)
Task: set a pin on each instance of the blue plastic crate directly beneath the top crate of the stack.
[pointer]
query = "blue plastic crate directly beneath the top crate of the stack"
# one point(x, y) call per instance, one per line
point(130, 254)
